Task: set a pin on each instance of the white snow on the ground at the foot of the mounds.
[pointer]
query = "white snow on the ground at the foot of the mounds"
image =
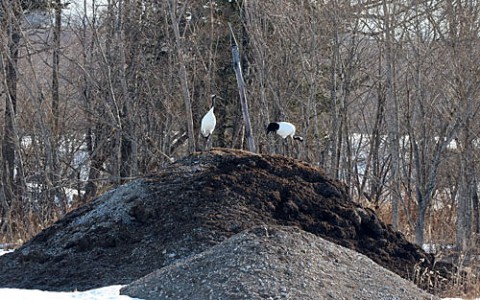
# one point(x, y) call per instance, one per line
point(104, 293)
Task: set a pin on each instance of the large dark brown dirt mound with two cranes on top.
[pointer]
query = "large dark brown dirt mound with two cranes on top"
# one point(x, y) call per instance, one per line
point(190, 206)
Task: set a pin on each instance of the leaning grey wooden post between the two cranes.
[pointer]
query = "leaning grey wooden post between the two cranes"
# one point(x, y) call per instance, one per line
point(241, 90)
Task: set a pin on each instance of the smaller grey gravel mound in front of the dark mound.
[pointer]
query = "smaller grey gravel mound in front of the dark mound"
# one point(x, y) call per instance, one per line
point(275, 262)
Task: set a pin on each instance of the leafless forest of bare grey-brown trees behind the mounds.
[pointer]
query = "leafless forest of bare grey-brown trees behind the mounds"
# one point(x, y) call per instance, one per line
point(386, 94)
